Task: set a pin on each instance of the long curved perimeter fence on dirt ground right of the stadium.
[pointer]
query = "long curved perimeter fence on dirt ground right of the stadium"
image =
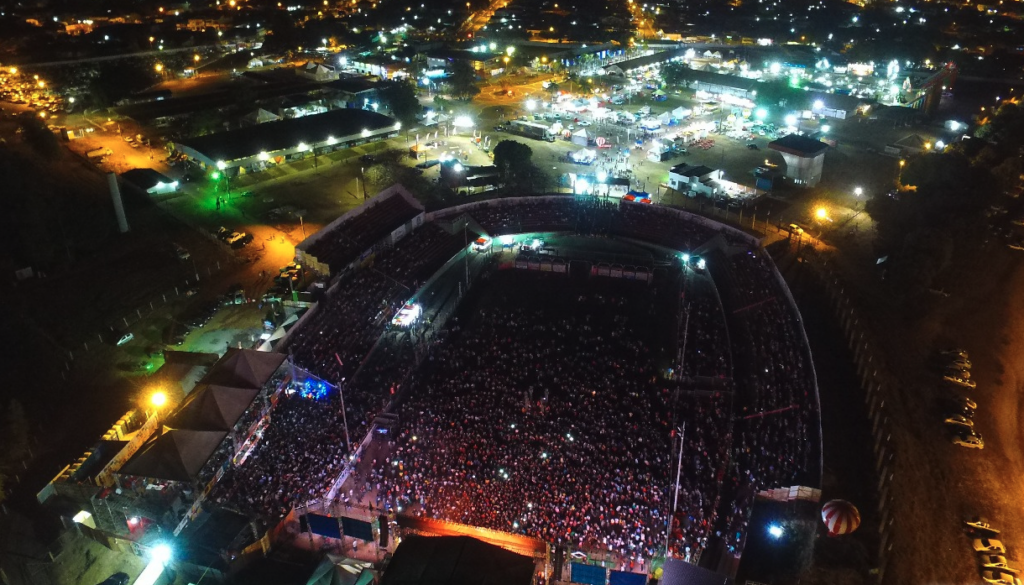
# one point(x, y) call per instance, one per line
point(877, 396)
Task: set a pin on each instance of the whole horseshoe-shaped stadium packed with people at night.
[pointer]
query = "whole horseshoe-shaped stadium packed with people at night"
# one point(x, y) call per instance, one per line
point(567, 378)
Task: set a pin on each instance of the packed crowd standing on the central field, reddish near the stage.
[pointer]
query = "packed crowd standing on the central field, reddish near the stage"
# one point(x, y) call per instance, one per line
point(550, 420)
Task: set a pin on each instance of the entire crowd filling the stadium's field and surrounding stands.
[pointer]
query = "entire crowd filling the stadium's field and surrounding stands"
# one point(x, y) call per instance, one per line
point(544, 410)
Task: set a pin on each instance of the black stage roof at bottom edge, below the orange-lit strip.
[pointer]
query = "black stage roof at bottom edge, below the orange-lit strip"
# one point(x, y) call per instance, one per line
point(456, 561)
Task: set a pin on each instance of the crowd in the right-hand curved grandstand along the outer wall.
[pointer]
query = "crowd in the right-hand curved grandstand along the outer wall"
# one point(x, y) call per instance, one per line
point(777, 400)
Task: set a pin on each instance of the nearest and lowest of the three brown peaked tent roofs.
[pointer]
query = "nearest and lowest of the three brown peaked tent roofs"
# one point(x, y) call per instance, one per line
point(178, 455)
